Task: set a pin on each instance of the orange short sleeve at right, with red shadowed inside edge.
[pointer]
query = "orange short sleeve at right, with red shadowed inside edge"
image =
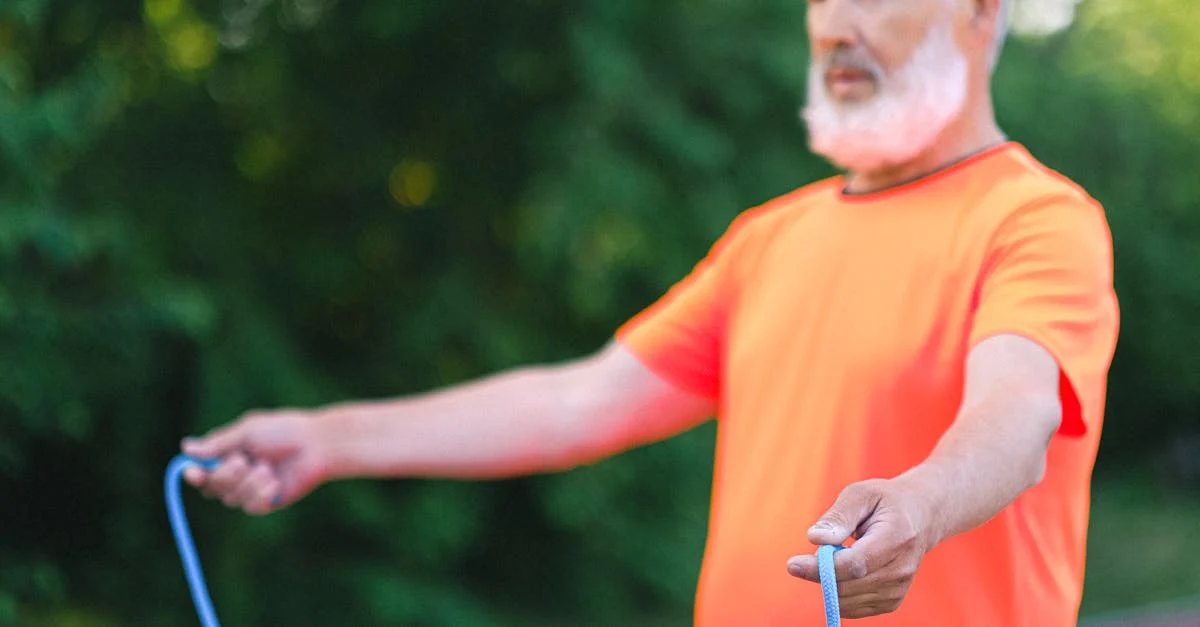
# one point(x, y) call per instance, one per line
point(1049, 278)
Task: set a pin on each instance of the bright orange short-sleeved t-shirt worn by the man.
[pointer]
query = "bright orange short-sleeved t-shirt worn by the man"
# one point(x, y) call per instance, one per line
point(832, 331)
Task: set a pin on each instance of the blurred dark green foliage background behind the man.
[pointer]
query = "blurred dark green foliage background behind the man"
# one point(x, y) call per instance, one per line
point(212, 207)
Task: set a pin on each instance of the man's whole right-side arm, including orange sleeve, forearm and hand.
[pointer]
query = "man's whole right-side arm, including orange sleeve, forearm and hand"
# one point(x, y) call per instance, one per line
point(1042, 341)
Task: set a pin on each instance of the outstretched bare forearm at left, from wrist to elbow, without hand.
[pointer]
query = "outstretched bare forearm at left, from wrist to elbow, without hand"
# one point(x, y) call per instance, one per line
point(514, 423)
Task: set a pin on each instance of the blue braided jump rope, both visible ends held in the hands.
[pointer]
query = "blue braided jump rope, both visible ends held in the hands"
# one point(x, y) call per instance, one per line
point(209, 617)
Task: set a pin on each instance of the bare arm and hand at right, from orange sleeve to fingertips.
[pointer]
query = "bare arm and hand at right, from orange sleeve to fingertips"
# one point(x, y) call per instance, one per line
point(994, 452)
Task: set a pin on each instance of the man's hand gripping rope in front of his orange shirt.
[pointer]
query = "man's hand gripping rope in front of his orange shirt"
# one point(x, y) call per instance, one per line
point(893, 526)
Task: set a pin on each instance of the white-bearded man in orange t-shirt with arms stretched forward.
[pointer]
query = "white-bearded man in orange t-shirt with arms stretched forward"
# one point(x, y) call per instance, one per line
point(910, 359)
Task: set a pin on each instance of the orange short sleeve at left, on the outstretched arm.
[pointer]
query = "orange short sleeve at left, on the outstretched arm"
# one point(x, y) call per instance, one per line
point(681, 337)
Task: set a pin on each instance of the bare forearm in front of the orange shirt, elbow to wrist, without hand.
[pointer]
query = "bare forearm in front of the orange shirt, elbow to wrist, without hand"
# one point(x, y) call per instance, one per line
point(986, 461)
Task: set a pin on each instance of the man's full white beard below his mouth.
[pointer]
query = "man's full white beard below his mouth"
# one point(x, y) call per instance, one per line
point(911, 109)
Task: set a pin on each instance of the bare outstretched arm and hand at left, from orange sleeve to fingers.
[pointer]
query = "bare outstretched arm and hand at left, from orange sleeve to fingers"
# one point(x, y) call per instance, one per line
point(526, 421)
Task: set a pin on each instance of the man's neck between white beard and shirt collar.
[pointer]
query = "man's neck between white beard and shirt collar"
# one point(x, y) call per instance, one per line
point(940, 156)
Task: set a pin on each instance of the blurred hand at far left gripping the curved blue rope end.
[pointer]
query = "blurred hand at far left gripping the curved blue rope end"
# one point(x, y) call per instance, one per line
point(267, 461)
